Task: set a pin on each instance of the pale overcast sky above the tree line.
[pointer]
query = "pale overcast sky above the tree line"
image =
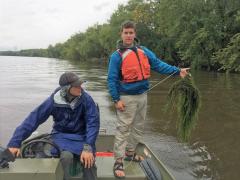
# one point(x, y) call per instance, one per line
point(26, 24)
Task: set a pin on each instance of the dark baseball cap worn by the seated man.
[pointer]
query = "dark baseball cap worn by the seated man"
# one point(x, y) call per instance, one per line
point(70, 78)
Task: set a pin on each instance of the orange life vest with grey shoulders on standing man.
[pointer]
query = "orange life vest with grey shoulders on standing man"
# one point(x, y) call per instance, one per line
point(135, 66)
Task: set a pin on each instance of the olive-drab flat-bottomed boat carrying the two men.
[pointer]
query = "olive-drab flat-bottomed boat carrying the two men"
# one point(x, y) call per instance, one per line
point(51, 169)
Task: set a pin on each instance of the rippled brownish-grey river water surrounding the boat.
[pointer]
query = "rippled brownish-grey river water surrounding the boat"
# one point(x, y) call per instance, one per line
point(213, 151)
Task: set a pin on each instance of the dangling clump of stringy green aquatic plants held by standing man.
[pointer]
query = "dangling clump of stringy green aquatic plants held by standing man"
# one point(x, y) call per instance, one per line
point(185, 97)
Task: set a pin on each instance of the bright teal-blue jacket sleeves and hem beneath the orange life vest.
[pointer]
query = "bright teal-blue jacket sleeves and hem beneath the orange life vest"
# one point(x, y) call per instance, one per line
point(116, 87)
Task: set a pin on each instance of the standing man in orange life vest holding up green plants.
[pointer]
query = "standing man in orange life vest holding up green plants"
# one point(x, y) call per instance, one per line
point(128, 74)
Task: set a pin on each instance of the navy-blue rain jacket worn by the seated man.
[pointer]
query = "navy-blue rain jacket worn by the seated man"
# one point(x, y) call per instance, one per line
point(72, 127)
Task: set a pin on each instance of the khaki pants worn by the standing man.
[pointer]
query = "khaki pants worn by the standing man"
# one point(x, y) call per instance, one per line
point(130, 123)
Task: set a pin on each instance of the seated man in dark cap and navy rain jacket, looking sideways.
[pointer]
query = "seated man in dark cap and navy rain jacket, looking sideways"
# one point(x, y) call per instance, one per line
point(75, 128)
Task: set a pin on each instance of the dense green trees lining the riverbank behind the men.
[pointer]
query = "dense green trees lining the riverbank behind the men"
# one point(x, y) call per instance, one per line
point(203, 34)
